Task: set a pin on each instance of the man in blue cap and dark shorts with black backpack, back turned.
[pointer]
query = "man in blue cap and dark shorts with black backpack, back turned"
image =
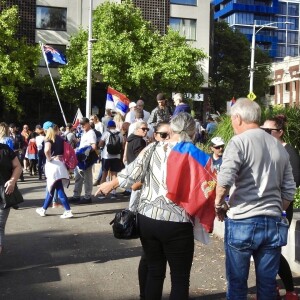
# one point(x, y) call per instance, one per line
point(110, 162)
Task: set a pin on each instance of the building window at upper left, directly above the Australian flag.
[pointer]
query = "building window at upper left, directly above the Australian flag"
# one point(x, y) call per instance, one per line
point(51, 18)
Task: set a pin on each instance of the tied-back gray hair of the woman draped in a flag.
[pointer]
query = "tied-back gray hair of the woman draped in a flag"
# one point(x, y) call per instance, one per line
point(184, 124)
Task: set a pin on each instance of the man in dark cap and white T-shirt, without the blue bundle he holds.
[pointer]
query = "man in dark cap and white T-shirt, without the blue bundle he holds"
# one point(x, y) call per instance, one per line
point(85, 177)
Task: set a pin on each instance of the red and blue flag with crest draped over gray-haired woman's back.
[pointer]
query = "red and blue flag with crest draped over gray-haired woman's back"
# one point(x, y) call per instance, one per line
point(191, 182)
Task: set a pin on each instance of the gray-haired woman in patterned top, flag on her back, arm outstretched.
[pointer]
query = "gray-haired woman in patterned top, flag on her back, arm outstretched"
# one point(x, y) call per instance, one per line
point(166, 229)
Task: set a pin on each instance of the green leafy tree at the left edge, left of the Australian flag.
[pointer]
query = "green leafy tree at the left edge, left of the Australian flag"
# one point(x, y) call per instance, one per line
point(18, 60)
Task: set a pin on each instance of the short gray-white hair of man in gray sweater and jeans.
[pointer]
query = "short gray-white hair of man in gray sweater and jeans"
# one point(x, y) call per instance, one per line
point(249, 111)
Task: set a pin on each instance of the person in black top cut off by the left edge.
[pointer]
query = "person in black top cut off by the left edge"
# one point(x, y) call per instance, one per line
point(10, 171)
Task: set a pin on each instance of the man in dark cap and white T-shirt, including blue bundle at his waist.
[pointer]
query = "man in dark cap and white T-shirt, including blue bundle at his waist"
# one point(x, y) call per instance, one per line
point(84, 175)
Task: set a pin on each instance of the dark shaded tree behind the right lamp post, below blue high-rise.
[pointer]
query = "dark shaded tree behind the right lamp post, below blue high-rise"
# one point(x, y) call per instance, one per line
point(230, 71)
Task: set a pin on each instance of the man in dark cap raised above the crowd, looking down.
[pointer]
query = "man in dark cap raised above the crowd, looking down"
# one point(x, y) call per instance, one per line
point(162, 113)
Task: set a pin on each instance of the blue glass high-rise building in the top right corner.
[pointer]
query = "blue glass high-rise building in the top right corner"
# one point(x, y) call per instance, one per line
point(278, 33)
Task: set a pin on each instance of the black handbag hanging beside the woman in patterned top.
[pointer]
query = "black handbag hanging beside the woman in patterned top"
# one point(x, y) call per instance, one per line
point(125, 225)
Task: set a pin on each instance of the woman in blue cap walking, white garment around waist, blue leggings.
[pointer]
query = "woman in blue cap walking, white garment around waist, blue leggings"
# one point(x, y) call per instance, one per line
point(55, 170)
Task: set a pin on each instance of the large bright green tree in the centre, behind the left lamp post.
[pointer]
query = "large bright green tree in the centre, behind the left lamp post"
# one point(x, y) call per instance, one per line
point(132, 57)
